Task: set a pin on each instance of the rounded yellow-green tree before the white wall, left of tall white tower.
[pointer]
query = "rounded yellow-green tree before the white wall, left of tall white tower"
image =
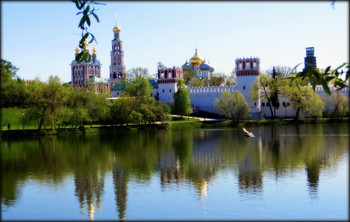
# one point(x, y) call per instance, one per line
point(233, 106)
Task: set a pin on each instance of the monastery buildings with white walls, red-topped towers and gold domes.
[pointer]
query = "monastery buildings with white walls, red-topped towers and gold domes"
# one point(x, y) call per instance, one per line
point(202, 98)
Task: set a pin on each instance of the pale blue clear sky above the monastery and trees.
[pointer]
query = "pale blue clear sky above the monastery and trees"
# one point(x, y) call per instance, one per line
point(40, 37)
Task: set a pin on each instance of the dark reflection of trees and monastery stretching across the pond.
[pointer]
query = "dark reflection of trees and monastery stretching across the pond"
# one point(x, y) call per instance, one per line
point(191, 157)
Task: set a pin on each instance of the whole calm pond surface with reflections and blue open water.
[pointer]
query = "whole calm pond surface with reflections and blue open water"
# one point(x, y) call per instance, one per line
point(284, 173)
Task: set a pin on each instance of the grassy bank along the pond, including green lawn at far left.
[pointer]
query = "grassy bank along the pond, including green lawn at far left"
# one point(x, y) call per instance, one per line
point(14, 115)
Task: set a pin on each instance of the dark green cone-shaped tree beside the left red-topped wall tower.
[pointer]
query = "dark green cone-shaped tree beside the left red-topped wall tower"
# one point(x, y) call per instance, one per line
point(182, 102)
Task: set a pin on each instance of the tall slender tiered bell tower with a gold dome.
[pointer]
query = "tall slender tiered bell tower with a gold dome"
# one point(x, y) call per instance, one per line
point(117, 67)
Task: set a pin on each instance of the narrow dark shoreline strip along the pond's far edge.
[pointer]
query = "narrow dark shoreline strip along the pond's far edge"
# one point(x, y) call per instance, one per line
point(166, 126)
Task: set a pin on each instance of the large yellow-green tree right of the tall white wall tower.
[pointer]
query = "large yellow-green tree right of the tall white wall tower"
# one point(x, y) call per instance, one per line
point(303, 98)
